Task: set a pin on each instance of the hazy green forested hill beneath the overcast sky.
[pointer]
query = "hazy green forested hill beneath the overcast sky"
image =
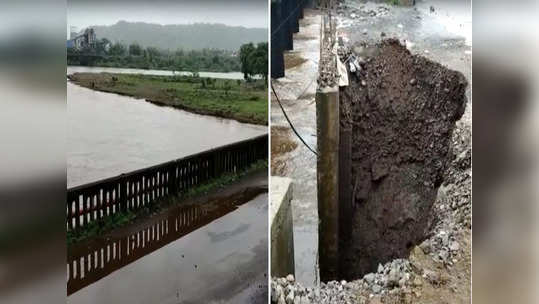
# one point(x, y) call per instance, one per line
point(182, 36)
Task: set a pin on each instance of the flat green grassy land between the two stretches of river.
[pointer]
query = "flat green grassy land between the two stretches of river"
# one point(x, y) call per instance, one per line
point(233, 99)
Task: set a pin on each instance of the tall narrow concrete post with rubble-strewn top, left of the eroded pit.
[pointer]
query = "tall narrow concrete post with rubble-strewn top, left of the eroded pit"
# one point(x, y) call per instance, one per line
point(328, 136)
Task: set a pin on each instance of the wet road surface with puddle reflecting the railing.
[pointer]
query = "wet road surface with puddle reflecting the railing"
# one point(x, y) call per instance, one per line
point(201, 253)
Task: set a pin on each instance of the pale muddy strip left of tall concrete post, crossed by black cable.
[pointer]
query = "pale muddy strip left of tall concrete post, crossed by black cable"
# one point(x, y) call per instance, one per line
point(297, 91)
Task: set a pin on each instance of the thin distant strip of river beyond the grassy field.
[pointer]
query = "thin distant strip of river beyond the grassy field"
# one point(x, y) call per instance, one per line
point(84, 69)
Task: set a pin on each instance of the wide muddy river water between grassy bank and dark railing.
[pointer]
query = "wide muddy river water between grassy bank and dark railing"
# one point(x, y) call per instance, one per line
point(109, 134)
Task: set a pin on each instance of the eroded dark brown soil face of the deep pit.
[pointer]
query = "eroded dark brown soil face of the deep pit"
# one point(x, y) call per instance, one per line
point(402, 109)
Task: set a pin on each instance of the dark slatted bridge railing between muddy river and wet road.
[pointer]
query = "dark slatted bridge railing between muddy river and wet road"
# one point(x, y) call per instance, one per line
point(131, 191)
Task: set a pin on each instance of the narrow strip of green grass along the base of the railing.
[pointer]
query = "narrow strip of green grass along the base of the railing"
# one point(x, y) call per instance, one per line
point(118, 220)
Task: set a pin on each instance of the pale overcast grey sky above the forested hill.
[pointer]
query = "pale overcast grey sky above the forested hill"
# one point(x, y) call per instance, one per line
point(247, 13)
